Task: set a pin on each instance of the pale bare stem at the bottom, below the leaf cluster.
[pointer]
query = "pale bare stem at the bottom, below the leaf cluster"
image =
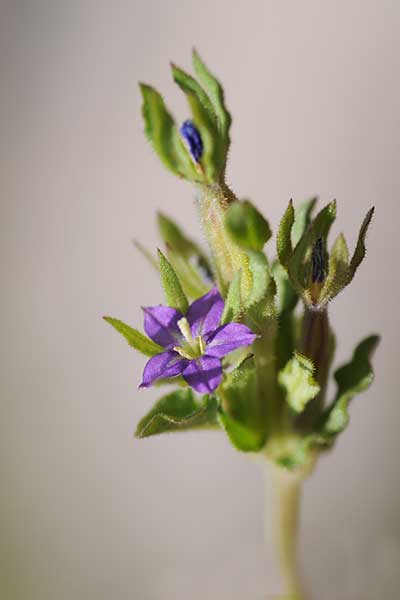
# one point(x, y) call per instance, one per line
point(287, 492)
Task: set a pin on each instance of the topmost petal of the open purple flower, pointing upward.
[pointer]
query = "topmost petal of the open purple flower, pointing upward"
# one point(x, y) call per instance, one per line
point(205, 313)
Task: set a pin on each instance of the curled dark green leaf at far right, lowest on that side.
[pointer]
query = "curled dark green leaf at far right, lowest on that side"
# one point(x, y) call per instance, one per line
point(353, 378)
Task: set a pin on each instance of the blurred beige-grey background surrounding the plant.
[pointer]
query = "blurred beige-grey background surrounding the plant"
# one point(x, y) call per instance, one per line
point(86, 511)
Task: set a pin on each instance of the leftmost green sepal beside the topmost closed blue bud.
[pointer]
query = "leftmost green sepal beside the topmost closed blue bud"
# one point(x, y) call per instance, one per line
point(162, 132)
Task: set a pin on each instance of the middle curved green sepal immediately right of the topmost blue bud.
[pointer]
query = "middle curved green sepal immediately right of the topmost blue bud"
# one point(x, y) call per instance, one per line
point(204, 118)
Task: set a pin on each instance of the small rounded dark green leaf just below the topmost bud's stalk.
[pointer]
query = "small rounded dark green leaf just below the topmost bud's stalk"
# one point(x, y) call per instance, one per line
point(247, 226)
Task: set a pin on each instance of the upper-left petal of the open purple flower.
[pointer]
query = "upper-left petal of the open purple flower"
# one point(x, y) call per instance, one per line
point(160, 324)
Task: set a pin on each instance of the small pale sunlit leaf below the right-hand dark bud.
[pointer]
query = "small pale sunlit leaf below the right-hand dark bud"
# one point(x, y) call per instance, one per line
point(297, 378)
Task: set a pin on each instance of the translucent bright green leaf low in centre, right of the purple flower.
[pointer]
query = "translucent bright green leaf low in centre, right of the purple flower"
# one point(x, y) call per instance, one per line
point(240, 412)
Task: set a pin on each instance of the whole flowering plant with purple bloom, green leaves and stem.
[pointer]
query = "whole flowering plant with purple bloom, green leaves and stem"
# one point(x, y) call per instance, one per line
point(251, 354)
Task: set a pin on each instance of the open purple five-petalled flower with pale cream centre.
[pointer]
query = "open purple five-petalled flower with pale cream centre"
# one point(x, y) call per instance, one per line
point(194, 344)
